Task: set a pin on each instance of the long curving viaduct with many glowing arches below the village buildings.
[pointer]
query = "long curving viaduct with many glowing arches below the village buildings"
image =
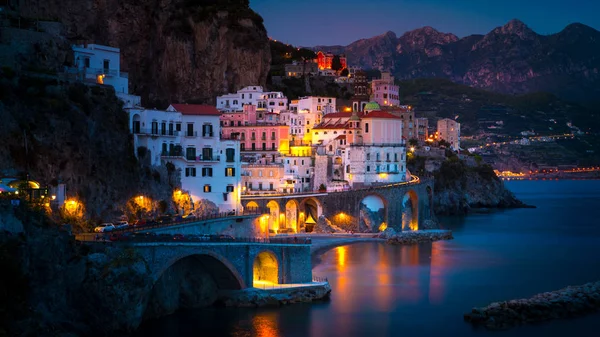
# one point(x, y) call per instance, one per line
point(402, 206)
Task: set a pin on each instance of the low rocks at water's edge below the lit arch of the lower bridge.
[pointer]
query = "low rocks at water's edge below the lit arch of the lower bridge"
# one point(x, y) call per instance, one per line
point(255, 297)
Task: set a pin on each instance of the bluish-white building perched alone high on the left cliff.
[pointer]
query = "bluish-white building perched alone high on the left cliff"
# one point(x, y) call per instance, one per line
point(102, 65)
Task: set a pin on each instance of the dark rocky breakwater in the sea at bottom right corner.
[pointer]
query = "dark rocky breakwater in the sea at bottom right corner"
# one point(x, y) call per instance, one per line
point(567, 302)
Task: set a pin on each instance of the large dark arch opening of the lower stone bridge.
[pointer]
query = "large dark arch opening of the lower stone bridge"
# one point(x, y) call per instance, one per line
point(189, 282)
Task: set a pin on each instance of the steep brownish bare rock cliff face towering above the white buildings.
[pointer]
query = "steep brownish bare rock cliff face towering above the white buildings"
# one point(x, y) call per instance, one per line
point(173, 50)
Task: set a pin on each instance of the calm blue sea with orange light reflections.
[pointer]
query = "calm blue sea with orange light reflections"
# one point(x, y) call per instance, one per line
point(381, 290)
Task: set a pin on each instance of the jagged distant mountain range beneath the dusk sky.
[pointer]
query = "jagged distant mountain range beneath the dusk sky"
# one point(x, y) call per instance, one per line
point(510, 59)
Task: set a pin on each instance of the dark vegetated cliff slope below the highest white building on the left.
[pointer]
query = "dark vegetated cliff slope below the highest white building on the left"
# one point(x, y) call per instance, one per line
point(77, 135)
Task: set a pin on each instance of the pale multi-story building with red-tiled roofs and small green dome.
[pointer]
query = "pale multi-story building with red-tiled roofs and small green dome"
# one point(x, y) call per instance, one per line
point(364, 148)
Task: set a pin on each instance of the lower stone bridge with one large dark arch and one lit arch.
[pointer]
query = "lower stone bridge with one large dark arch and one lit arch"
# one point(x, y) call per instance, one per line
point(231, 265)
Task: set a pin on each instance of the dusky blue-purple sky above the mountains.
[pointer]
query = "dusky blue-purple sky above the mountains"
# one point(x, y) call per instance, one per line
point(332, 22)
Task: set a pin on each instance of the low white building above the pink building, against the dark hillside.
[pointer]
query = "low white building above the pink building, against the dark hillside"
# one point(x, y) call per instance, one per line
point(273, 101)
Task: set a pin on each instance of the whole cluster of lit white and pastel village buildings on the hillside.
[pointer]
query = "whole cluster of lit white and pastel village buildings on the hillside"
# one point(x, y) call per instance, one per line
point(258, 142)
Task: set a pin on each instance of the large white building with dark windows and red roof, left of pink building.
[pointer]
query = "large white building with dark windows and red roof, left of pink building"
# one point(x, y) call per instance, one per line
point(188, 136)
